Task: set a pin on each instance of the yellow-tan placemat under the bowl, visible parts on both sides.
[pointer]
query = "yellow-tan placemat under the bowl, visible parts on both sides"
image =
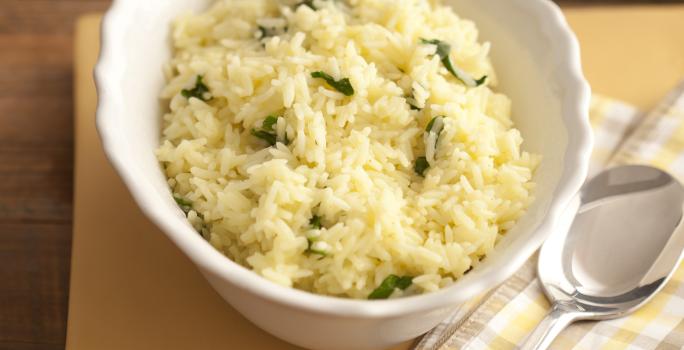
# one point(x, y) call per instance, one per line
point(132, 289)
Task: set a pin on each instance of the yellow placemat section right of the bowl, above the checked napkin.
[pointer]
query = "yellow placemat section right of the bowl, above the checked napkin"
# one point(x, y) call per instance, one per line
point(634, 53)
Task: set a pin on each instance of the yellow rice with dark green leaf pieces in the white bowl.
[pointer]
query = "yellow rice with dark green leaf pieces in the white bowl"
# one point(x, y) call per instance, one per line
point(416, 173)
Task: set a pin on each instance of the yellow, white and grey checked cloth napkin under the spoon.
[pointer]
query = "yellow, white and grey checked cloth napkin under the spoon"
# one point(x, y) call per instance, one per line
point(503, 317)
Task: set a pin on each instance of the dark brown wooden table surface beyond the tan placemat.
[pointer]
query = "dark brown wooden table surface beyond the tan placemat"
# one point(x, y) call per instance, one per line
point(36, 161)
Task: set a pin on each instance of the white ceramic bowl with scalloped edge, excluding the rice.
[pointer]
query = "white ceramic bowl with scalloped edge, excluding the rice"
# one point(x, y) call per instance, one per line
point(538, 62)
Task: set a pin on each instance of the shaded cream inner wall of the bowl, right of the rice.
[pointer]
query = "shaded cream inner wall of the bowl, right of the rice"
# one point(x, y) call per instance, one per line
point(530, 72)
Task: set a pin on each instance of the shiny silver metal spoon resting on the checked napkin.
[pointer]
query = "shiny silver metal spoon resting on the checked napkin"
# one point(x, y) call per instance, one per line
point(624, 244)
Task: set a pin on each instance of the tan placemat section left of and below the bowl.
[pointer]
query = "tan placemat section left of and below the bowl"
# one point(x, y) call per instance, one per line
point(131, 288)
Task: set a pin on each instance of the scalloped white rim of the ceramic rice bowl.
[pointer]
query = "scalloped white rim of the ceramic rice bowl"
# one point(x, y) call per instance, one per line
point(205, 256)
